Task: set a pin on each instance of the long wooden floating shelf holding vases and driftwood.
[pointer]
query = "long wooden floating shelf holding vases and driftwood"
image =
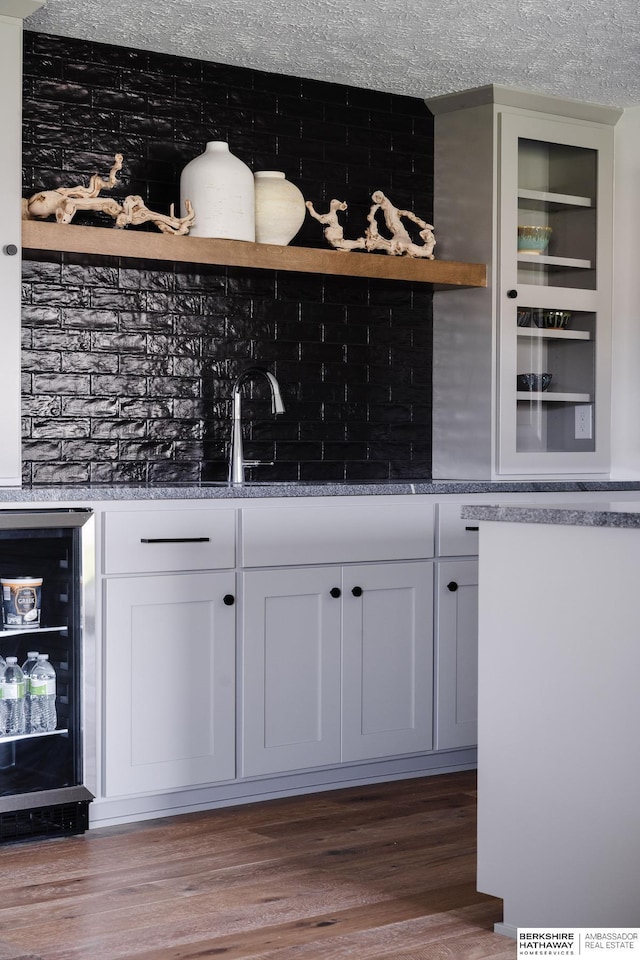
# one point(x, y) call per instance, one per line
point(111, 242)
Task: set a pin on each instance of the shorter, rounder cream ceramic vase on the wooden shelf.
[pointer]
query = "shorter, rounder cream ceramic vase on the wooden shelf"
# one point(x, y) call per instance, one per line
point(280, 208)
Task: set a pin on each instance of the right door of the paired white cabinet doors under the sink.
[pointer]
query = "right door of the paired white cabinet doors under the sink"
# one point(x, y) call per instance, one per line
point(387, 660)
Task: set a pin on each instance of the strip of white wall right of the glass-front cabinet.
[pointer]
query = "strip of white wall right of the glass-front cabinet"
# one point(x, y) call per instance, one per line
point(625, 411)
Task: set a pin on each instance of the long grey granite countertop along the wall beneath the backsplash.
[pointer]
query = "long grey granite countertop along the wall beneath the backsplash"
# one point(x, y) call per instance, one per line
point(61, 493)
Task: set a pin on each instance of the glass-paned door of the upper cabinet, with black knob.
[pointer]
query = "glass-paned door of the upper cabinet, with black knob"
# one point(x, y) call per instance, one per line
point(554, 296)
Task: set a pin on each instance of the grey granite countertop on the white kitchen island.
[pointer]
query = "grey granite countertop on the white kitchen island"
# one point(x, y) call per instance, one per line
point(625, 514)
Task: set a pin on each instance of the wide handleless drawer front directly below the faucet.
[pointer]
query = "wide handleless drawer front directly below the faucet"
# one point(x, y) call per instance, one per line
point(291, 536)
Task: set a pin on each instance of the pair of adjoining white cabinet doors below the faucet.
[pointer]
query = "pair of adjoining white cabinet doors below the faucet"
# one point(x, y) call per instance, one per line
point(336, 664)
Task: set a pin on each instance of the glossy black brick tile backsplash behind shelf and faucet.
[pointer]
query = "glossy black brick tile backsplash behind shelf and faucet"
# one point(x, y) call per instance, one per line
point(128, 365)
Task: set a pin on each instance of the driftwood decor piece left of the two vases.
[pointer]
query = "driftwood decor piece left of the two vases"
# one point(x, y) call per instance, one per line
point(64, 202)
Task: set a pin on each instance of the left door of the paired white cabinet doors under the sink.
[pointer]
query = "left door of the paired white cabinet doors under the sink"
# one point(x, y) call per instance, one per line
point(291, 669)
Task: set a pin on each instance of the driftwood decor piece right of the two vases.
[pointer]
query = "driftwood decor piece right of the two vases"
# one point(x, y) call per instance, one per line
point(398, 244)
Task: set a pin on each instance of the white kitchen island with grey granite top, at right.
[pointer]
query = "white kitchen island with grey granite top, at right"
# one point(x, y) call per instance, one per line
point(559, 713)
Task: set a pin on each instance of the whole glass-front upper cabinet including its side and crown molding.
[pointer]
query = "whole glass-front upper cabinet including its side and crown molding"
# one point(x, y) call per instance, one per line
point(521, 369)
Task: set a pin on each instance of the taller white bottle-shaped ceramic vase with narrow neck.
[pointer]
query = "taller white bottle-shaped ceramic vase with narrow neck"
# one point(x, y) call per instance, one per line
point(221, 190)
